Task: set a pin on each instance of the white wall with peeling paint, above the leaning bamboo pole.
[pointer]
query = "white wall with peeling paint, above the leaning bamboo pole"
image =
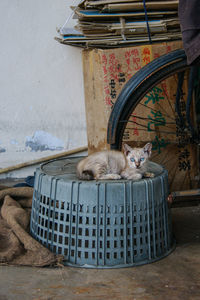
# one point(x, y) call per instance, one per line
point(41, 82)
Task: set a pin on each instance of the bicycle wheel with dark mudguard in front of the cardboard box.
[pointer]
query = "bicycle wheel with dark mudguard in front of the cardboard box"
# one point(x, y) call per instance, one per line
point(153, 106)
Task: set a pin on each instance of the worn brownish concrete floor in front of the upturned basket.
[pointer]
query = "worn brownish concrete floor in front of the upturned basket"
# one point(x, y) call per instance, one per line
point(176, 277)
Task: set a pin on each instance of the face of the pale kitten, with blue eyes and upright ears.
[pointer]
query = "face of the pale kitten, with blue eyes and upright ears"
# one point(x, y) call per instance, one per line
point(136, 157)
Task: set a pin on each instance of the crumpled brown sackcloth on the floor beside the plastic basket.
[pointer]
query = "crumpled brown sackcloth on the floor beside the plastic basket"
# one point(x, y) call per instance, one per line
point(17, 247)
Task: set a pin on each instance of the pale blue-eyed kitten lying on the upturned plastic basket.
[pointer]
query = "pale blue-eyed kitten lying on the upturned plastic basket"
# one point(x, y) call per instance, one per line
point(131, 163)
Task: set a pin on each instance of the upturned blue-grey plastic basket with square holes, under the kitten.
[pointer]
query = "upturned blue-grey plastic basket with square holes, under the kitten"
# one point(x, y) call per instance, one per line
point(101, 224)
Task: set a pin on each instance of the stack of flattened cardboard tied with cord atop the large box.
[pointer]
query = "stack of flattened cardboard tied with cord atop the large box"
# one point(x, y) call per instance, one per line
point(117, 23)
